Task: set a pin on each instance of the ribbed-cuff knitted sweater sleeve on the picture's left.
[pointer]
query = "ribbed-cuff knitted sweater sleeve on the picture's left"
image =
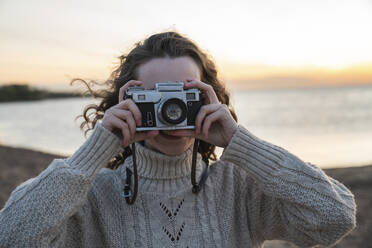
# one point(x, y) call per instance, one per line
point(37, 208)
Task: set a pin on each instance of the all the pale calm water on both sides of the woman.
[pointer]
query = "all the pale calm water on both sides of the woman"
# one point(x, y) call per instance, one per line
point(330, 127)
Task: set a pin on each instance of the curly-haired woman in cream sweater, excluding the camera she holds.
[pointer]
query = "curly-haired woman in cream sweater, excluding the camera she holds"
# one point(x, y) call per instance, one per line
point(255, 192)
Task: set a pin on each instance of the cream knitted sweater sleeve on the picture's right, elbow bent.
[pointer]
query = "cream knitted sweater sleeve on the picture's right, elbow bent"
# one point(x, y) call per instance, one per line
point(290, 199)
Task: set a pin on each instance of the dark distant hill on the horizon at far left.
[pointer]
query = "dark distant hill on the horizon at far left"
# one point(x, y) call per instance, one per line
point(16, 92)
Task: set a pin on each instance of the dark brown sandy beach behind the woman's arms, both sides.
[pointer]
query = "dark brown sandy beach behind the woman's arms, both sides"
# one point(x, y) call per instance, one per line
point(18, 165)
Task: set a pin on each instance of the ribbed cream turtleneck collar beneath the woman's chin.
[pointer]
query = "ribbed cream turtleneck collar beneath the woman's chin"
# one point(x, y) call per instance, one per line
point(155, 165)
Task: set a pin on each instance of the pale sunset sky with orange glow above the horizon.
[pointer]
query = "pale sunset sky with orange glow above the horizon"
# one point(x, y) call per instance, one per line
point(255, 43)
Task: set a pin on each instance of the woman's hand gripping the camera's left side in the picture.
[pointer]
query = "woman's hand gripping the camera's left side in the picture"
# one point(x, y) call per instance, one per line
point(122, 118)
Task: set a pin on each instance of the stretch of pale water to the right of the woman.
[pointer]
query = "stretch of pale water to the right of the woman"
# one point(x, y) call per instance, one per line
point(331, 127)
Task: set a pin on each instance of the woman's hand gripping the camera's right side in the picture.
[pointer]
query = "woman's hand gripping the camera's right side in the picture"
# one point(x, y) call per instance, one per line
point(214, 122)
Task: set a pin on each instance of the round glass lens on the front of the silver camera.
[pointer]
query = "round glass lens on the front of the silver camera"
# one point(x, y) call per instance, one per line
point(174, 111)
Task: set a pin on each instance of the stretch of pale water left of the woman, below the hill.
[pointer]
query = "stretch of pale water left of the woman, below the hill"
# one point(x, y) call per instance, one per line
point(47, 125)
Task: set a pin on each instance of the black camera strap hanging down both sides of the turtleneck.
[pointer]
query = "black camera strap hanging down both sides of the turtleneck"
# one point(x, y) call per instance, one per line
point(196, 186)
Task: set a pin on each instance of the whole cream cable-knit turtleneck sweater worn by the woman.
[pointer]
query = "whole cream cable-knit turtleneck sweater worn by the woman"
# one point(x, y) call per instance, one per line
point(256, 191)
